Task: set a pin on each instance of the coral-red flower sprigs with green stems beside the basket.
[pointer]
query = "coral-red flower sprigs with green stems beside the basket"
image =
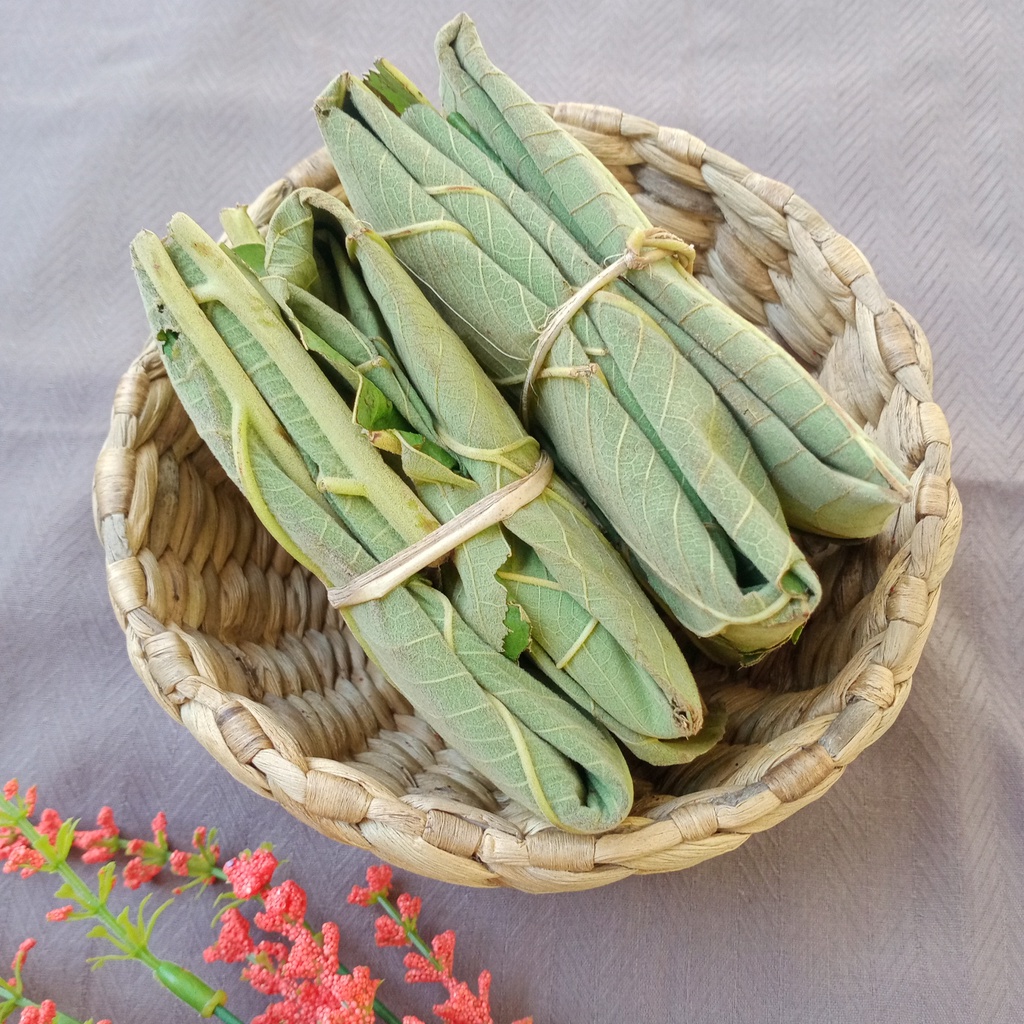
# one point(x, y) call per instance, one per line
point(295, 965)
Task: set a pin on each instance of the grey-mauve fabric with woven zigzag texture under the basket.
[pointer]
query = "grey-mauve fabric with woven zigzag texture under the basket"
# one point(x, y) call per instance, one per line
point(899, 897)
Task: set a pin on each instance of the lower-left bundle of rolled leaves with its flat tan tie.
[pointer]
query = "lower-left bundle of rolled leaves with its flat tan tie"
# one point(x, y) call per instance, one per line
point(279, 386)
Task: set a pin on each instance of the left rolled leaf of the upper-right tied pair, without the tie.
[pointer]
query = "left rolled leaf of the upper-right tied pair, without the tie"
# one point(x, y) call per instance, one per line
point(655, 448)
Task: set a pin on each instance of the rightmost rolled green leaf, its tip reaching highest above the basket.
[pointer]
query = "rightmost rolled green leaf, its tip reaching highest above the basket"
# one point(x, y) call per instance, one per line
point(832, 479)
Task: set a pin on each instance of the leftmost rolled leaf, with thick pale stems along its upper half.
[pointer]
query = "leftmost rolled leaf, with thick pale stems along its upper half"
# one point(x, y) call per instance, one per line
point(210, 318)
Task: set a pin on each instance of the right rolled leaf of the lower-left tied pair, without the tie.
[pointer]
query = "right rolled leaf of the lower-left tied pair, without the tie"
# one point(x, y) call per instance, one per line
point(587, 613)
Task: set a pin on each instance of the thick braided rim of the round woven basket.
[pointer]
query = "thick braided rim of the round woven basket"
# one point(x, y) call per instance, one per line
point(454, 843)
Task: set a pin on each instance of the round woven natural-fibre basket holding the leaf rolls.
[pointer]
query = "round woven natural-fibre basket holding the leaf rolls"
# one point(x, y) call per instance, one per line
point(239, 644)
